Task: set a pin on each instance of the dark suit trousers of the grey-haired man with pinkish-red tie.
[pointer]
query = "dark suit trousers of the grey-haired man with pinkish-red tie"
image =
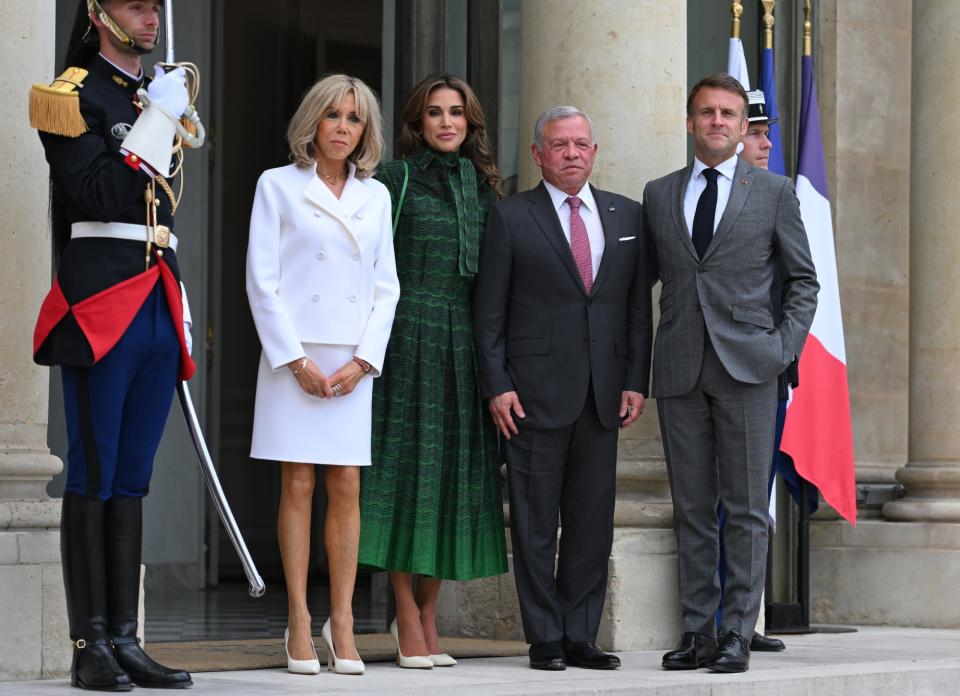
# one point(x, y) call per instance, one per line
point(568, 473)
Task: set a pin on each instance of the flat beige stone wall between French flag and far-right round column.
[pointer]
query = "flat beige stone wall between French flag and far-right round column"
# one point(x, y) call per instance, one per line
point(861, 46)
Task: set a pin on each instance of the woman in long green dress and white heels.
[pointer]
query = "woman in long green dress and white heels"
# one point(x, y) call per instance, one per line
point(431, 503)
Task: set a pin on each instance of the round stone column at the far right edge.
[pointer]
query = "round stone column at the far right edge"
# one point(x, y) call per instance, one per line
point(932, 475)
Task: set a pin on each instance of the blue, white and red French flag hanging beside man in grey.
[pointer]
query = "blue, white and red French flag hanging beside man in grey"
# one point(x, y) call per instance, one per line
point(818, 435)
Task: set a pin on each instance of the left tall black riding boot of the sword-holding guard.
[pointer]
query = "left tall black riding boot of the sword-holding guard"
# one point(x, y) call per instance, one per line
point(84, 579)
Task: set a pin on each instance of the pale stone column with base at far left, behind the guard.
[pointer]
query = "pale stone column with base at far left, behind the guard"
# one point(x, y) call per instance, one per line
point(32, 610)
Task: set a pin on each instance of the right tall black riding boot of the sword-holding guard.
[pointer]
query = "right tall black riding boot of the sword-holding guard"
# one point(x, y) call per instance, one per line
point(124, 539)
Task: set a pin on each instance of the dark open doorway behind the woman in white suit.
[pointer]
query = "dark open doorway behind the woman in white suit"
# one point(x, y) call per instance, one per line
point(267, 56)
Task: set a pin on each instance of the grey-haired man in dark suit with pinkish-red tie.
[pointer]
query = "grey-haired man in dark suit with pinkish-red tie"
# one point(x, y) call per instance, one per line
point(562, 319)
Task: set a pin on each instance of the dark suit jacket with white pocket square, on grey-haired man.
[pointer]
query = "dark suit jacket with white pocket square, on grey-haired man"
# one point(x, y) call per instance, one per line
point(538, 332)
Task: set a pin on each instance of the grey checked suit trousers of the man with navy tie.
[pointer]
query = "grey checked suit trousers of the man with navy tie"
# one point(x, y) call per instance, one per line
point(718, 443)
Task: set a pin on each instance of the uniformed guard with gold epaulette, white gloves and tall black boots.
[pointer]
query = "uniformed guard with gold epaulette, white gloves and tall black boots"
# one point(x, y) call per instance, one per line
point(115, 320)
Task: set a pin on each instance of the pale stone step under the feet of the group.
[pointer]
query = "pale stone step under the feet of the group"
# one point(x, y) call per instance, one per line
point(870, 662)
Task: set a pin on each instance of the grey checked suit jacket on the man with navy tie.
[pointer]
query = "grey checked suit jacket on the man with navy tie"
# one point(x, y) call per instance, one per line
point(728, 291)
